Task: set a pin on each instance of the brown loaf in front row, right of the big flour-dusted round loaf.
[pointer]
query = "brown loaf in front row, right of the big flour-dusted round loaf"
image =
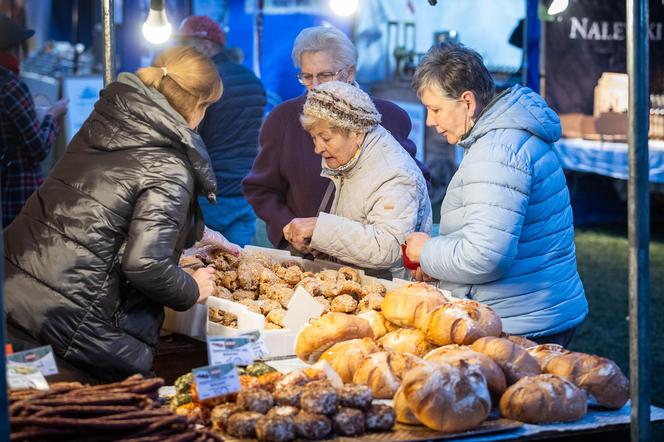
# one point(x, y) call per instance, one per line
point(543, 399)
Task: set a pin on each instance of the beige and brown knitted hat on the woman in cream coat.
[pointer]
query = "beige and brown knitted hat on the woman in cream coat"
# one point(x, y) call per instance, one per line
point(343, 106)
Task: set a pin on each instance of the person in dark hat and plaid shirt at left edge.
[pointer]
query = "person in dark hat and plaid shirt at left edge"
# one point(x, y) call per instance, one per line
point(25, 141)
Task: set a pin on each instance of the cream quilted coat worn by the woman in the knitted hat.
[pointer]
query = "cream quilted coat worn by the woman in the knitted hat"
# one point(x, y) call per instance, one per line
point(379, 200)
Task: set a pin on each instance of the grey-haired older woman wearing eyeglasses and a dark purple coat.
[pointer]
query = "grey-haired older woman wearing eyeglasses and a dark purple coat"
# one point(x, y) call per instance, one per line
point(285, 181)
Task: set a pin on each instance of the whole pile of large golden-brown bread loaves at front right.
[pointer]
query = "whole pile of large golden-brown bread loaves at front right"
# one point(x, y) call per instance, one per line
point(446, 362)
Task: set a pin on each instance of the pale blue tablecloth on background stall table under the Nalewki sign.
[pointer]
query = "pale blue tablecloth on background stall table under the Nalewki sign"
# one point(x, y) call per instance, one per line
point(607, 158)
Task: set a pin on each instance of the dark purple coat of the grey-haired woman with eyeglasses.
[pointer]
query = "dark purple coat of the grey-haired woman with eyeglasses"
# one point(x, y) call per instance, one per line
point(285, 181)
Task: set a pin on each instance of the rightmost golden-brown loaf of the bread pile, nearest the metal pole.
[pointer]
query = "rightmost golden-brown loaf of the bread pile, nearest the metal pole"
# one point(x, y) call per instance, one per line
point(600, 377)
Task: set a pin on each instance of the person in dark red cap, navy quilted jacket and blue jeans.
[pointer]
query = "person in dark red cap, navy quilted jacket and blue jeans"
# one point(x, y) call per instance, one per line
point(230, 130)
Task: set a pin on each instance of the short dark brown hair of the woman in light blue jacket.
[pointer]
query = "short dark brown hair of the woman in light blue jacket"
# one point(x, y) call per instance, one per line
point(453, 69)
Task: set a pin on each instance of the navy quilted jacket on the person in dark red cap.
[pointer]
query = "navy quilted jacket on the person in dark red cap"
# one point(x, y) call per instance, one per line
point(230, 127)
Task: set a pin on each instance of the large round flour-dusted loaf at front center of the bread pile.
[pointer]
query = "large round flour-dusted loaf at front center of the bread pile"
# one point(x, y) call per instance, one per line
point(447, 398)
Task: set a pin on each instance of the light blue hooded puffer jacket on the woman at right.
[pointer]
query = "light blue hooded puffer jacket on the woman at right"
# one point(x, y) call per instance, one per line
point(506, 234)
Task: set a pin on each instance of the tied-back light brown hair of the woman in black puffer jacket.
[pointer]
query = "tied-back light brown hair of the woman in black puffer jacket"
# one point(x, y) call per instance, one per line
point(190, 81)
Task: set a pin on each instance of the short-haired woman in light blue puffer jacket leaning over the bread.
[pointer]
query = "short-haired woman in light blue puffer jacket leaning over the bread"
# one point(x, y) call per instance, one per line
point(506, 233)
